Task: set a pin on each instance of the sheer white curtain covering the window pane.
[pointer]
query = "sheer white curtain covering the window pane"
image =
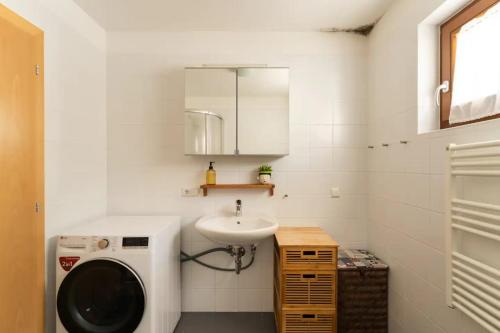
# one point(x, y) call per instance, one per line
point(476, 81)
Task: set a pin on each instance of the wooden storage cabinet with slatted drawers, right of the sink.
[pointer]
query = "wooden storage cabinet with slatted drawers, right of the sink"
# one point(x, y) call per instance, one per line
point(305, 281)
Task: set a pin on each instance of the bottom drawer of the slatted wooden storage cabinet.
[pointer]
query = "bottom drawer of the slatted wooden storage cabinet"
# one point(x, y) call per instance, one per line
point(308, 321)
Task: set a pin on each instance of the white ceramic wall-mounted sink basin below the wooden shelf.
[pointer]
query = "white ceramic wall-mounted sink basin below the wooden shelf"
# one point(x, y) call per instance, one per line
point(233, 230)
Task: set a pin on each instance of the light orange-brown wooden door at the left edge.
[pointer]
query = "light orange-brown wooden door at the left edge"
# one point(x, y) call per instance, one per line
point(21, 176)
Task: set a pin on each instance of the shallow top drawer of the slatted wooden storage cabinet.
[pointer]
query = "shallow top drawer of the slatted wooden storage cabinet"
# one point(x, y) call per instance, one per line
point(309, 258)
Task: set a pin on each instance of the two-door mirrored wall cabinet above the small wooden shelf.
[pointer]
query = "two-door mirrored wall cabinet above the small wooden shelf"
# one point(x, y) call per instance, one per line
point(236, 111)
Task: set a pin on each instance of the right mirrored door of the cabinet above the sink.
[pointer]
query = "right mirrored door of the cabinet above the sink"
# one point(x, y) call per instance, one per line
point(263, 103)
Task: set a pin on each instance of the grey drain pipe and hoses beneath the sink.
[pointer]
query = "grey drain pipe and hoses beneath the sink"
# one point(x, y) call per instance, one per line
point(236, 251)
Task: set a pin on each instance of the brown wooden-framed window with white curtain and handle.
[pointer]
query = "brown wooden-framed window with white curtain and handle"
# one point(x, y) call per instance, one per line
point(470, 65)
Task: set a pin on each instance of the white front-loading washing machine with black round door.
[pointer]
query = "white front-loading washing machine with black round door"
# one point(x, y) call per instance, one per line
point(120, 274)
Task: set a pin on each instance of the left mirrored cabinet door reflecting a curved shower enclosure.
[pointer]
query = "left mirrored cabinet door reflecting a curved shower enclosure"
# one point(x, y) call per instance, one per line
point(210, 111)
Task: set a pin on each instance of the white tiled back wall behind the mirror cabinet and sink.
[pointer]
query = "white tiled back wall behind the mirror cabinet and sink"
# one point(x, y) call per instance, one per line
point(147, 168)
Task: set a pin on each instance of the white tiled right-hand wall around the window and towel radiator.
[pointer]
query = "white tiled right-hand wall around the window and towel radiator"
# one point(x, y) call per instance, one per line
point(406, 194)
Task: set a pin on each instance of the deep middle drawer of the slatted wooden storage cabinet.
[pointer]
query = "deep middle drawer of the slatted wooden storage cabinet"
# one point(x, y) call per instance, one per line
point(309, 288)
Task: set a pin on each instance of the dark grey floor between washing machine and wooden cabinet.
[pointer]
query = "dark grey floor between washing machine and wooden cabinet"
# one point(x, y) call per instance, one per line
point(226, 322)
